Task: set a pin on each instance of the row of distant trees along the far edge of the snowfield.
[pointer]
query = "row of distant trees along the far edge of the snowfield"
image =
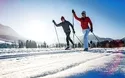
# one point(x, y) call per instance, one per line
point(33, 44)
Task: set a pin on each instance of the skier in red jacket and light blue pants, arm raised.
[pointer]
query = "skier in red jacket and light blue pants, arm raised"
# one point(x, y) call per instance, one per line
point(85, 21)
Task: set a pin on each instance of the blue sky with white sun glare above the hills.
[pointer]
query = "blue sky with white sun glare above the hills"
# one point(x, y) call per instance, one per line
point(33, 18)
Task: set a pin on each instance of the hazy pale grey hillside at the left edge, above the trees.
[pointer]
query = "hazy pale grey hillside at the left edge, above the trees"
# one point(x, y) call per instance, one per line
point(8, 34)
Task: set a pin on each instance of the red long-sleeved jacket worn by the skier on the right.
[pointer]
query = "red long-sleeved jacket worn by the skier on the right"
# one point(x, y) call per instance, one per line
point(84, 22)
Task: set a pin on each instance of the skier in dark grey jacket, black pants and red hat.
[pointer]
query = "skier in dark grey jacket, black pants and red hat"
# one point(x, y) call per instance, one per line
point(65, 25)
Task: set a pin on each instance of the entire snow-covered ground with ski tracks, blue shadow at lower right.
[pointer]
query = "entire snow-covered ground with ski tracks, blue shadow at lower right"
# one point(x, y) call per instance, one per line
point(56, 63)
